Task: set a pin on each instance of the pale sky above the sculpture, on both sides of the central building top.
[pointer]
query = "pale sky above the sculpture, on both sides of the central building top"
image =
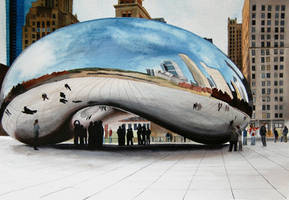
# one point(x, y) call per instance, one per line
point(207, 18)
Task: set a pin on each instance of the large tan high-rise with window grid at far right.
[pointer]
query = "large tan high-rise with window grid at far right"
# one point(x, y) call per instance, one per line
point(265, 42)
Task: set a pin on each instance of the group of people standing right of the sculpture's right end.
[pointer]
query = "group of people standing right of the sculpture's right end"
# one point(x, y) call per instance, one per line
point(239, 137)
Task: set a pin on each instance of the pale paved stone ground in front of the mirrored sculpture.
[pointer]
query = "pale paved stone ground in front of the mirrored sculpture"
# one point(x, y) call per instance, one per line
point(158, 172)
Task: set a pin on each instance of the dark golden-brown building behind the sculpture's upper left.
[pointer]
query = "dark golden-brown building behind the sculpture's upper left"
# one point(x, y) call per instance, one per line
point(44, 17)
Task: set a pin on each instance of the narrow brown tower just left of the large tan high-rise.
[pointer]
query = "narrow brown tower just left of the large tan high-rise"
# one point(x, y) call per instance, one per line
point(235, 41)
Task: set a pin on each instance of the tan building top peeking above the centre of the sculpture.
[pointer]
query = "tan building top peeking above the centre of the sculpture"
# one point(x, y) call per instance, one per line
point(131, 8)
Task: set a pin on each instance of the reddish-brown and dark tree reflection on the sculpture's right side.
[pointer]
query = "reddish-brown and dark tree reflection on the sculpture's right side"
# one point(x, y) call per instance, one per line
point(223, 96)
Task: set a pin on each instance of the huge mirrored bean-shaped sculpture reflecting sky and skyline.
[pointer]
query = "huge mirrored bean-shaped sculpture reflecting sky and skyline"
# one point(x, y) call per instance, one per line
point(165, 74)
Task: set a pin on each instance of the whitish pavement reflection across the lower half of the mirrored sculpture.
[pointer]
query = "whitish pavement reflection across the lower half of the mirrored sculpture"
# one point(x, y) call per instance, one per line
point(161, 104)
